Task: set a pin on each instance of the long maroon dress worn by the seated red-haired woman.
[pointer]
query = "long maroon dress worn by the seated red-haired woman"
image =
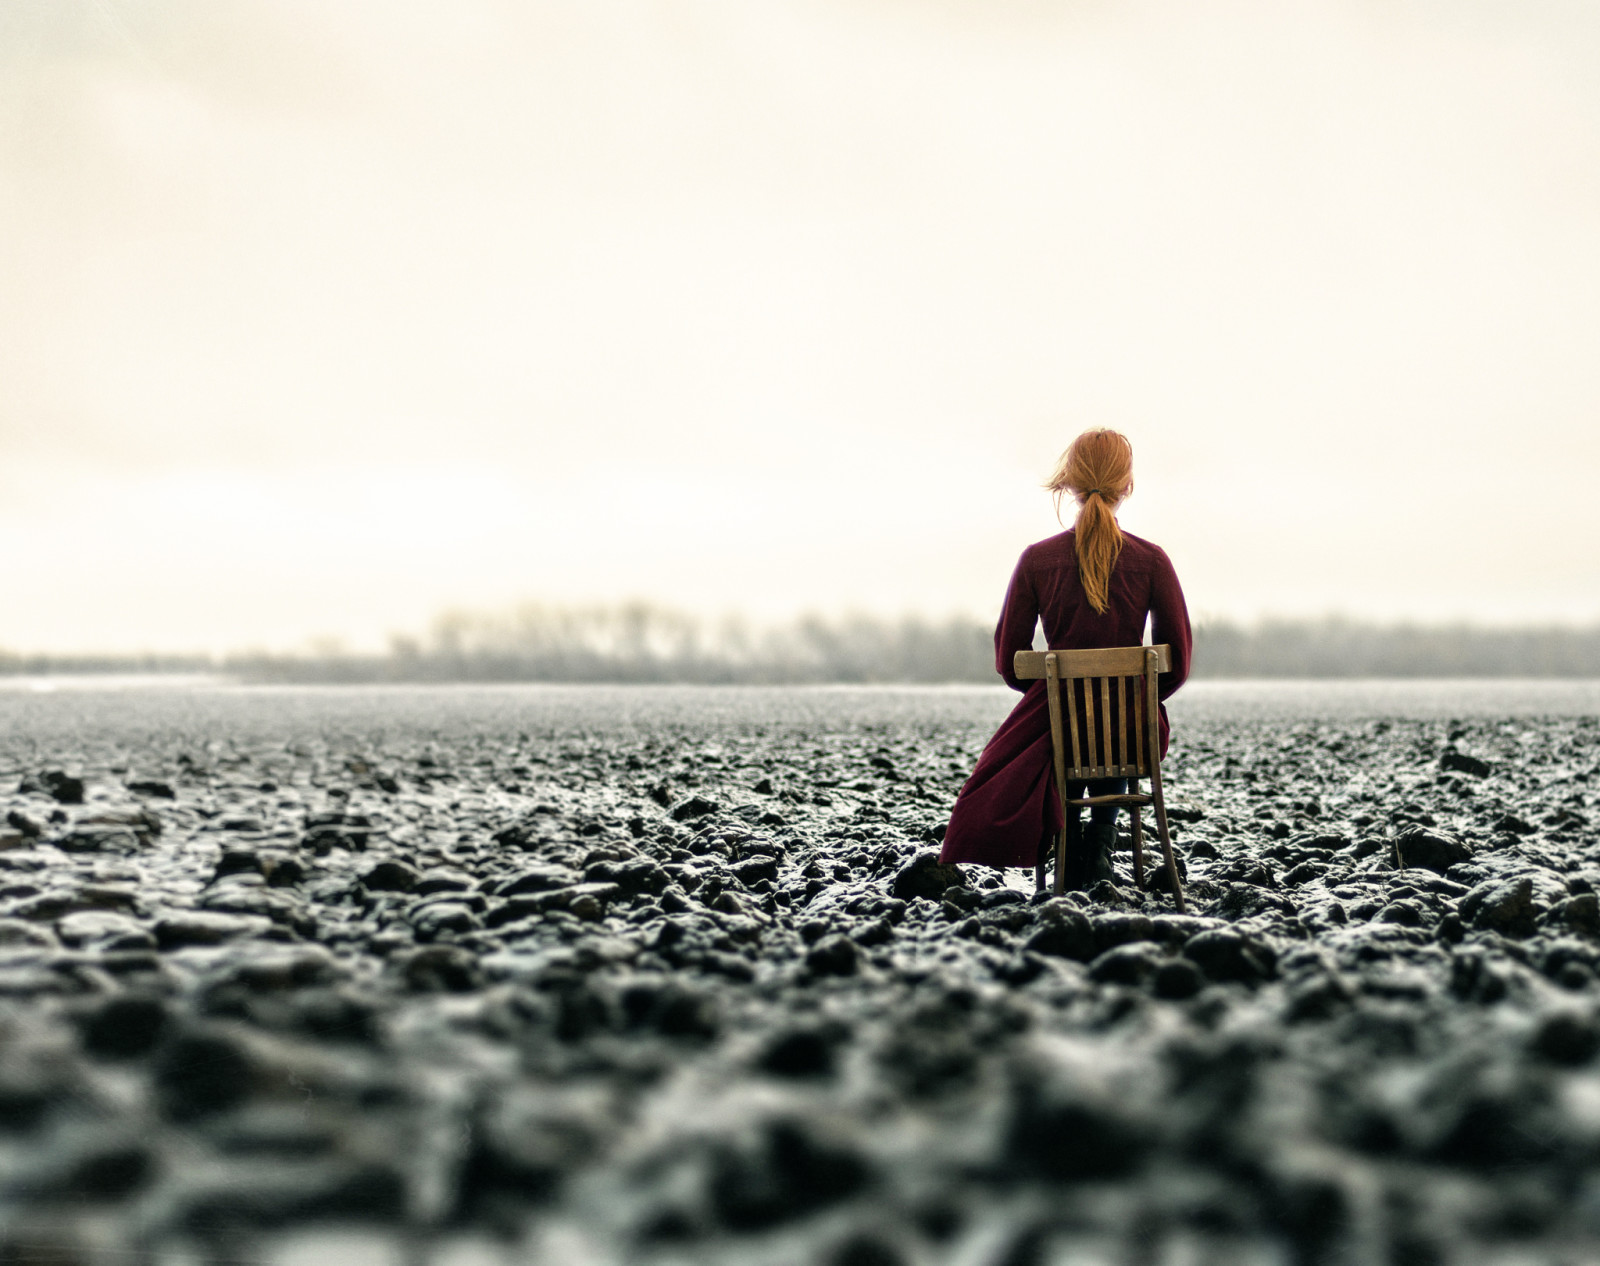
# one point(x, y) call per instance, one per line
point(1006, 806)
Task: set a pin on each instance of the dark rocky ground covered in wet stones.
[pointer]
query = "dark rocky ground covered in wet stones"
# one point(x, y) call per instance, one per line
point(690, 992)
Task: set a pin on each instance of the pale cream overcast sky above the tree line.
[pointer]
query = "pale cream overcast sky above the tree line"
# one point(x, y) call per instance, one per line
point(322, 316)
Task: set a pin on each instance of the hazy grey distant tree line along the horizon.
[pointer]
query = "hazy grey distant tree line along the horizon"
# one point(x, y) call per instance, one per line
point(639, 643)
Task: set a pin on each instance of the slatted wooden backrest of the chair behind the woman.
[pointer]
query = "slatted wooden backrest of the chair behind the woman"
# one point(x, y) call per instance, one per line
point(1124, 681)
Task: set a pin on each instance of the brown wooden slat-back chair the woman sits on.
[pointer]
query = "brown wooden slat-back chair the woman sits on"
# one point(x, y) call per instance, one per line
point(1124, 678)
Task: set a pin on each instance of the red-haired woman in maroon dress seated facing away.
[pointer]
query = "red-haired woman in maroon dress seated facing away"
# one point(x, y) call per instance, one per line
point(1094, 587)
